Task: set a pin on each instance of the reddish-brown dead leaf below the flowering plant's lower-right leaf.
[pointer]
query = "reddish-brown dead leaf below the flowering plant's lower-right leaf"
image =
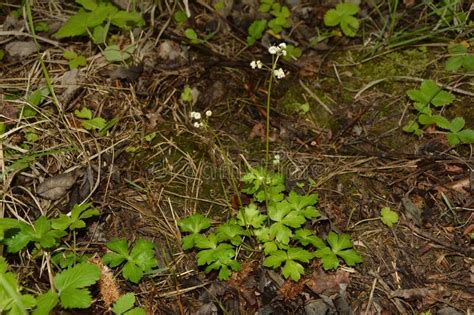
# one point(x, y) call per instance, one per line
point(327, 283)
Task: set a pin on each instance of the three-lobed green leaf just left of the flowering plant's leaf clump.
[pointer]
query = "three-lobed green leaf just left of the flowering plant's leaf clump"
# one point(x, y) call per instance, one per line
point(139, 261)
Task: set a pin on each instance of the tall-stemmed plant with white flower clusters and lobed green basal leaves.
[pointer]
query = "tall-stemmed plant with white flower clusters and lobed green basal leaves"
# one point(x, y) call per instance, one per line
point(275, 221)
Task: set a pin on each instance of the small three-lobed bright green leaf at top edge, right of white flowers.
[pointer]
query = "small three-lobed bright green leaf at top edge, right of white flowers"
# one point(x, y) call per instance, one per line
point(343, 15)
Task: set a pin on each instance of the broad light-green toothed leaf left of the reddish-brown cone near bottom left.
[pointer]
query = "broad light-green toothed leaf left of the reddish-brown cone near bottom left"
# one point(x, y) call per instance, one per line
point(71, 285)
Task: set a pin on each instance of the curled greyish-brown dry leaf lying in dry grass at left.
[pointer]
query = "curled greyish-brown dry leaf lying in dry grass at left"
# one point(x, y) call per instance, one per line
point(55, 187)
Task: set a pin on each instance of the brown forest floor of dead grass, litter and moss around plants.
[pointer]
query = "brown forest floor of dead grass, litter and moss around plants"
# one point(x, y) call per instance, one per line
point(336, 125)
